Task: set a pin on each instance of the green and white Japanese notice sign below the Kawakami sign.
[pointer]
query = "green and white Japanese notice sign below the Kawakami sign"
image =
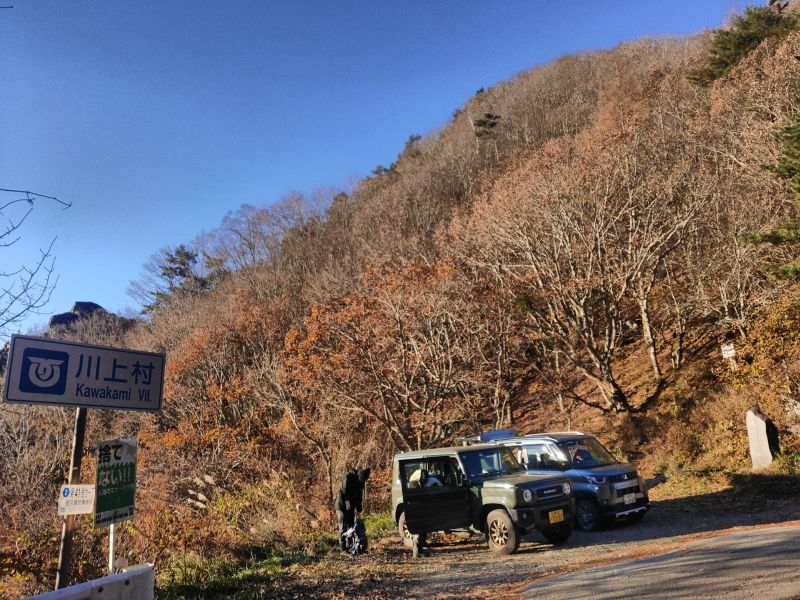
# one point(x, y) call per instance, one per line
point(115, 490)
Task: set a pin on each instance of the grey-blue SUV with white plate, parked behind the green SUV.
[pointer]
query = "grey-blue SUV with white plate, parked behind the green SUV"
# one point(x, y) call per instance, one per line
point(604, 488)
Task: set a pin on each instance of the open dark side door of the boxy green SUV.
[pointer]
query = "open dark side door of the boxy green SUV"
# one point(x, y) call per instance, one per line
point(438, 507)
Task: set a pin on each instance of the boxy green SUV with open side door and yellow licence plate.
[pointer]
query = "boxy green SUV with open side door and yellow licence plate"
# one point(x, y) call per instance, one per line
point(480, 488)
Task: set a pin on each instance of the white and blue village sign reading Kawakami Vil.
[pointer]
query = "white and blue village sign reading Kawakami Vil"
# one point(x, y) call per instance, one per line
point(43, 371)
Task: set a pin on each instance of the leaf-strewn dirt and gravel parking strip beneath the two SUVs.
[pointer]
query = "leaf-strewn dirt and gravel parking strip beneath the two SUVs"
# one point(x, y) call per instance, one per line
point(459, 567)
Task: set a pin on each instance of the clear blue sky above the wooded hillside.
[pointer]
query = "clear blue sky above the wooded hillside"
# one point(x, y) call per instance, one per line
point(156, 117)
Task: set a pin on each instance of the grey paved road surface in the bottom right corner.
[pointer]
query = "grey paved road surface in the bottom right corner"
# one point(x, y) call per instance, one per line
point(760, 564)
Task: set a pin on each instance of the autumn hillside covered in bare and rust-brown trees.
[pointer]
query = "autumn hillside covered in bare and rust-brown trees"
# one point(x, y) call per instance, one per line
point(568, 251)
